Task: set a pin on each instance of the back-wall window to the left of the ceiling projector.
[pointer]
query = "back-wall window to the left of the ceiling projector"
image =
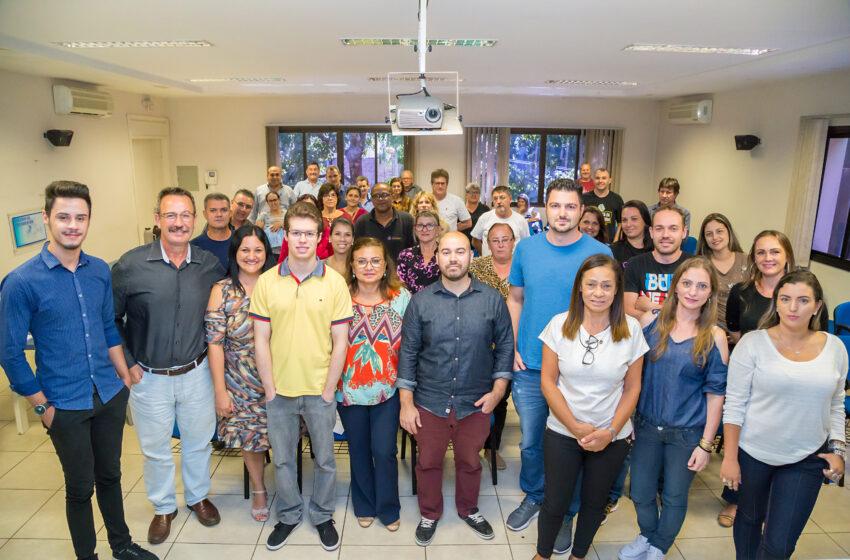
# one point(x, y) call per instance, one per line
point(372, 152)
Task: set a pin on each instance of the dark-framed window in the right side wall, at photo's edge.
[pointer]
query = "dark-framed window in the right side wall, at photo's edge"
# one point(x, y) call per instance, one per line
point(831, 242)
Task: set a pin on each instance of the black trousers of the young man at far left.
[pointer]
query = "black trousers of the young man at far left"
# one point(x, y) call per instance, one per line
point(88, 443)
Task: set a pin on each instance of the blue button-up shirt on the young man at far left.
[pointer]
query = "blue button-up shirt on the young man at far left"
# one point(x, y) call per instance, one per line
point(71, 318)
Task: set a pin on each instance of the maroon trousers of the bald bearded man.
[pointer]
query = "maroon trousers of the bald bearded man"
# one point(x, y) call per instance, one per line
point(467, 437)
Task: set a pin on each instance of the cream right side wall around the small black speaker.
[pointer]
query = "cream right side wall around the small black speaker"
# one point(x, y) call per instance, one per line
point(751, 188)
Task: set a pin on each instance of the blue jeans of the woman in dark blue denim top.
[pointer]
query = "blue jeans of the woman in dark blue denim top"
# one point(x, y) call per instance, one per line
point(661, 453)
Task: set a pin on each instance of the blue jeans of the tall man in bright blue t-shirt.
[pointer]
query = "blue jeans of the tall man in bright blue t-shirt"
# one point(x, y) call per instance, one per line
point(533, 412)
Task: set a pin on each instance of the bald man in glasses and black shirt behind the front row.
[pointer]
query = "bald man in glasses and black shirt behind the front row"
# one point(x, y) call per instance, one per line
point(393, 228)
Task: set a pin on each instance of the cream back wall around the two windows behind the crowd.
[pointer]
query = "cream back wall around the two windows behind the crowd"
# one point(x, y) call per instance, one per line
point(227, 134)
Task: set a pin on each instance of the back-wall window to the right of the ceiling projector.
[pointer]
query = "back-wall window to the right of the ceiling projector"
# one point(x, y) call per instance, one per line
point(537, 156)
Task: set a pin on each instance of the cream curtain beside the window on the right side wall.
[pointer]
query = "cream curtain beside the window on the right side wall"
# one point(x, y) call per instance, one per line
point(805, 186)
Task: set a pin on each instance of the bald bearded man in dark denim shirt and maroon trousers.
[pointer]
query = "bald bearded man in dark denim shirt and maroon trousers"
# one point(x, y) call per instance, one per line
point(454, 366)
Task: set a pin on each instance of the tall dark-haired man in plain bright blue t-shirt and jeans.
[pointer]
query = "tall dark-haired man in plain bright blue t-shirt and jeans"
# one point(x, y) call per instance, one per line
point(542, 275)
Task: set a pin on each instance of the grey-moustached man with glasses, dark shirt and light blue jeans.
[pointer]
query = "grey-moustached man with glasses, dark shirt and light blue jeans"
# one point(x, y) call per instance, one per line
point(161, 291)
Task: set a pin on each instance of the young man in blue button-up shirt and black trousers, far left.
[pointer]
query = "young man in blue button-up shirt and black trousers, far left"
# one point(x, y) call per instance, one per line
point(64, 298)
